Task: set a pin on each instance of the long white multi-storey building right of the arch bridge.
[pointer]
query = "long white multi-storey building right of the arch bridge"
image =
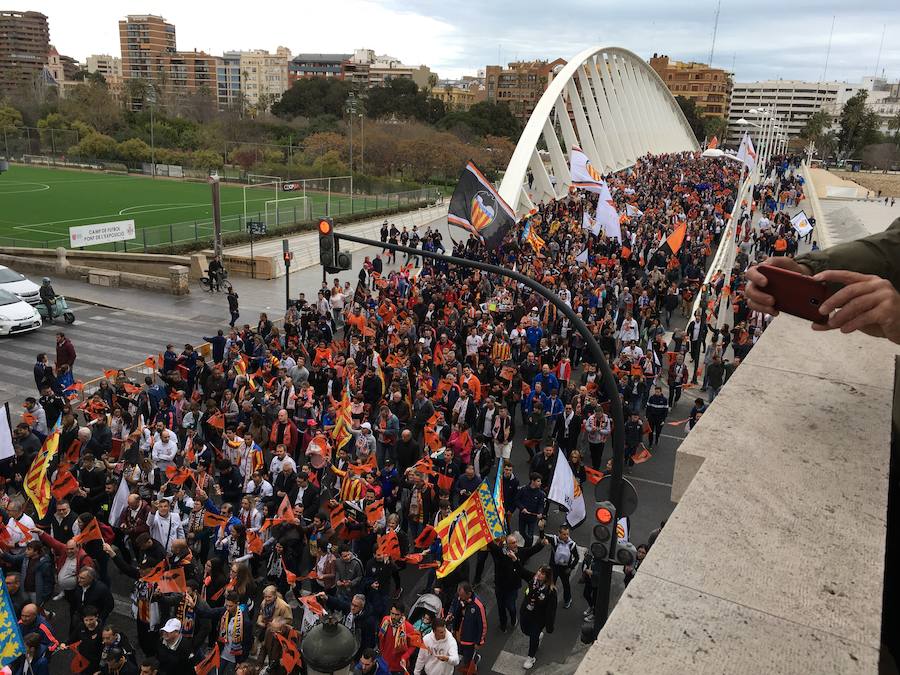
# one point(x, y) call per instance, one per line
point(794, 101)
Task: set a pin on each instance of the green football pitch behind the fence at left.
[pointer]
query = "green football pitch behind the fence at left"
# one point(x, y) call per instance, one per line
point(39, 204)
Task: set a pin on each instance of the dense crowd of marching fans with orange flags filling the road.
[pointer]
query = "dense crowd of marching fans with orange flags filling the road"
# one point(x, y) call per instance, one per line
point(224, 486)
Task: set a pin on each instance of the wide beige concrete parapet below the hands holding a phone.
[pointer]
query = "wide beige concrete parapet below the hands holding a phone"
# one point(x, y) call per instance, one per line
point(773, 560)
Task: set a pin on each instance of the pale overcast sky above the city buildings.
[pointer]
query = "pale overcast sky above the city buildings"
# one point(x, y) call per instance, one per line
point(761, 39)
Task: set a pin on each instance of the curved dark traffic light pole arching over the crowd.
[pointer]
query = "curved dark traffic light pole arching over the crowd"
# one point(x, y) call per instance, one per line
point(608, 381)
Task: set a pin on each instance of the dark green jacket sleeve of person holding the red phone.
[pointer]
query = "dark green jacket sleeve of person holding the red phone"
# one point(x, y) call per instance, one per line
point(877, 254)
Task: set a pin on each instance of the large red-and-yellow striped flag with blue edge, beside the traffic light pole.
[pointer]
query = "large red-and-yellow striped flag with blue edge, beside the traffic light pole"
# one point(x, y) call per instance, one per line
point(468, 529)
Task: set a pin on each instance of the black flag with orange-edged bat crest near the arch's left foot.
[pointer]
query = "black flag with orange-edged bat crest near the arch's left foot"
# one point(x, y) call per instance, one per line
point(478, 207)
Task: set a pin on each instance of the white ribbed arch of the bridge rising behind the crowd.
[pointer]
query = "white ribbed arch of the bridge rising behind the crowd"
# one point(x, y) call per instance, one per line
point(607, 101)
